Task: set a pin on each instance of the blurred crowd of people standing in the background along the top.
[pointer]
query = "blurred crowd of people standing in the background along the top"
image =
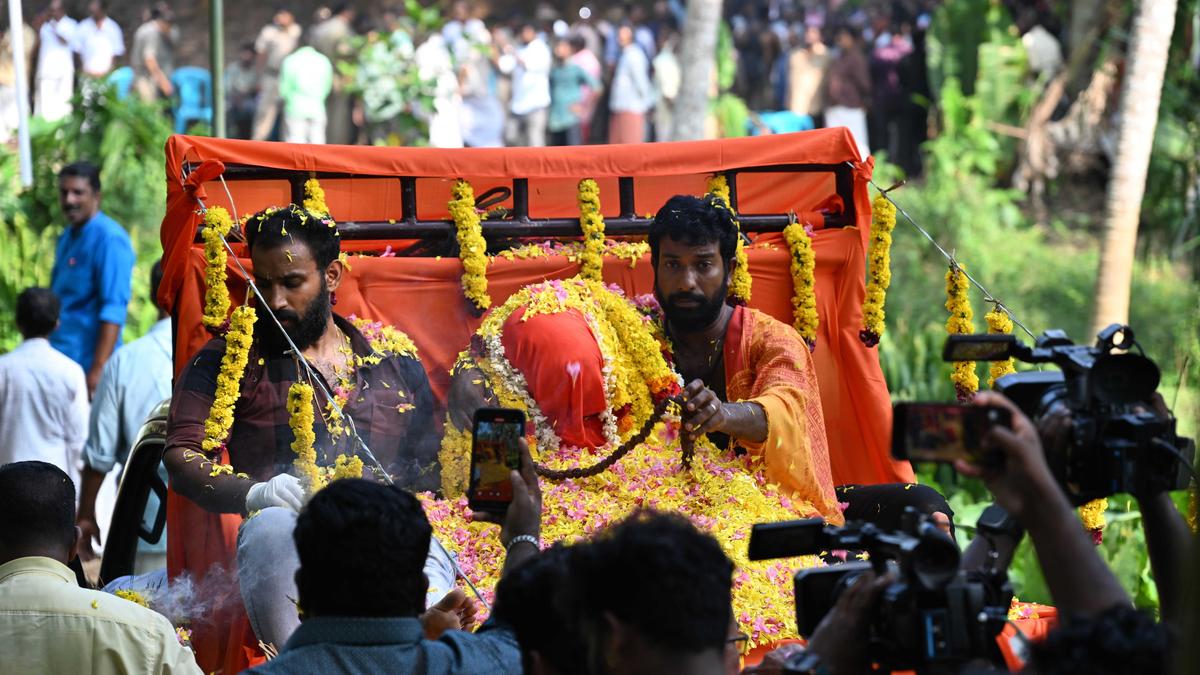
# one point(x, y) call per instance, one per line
point(604, 75)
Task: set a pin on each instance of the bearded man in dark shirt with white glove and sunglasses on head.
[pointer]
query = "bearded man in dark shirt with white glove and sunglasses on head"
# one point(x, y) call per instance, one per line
point(380, 386)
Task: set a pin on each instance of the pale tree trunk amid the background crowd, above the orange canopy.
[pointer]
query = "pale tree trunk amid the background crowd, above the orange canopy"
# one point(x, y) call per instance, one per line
point(698, 51)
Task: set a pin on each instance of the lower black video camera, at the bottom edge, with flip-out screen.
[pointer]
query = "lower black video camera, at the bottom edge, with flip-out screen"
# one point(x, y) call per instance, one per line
point(934, 618)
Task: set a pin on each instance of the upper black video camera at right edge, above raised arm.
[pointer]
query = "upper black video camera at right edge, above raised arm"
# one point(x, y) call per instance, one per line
point(1118, 444)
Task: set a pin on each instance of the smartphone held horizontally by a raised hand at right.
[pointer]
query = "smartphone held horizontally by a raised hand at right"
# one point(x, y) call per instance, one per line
point(944, 433)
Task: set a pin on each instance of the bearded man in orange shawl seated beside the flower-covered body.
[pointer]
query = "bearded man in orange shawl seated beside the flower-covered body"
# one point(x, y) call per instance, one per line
point(749, 378)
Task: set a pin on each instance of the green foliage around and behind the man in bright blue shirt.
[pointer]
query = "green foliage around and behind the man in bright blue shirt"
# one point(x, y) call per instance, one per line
point(125, 140)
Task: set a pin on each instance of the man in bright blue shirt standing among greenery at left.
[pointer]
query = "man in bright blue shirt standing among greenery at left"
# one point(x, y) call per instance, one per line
point(93, 265)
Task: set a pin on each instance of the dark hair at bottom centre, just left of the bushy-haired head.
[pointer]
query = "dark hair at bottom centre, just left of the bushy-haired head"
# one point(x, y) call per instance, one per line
point(533, 600)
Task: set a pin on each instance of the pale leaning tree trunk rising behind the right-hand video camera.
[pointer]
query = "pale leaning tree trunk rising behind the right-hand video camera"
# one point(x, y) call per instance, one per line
point(1141, 93)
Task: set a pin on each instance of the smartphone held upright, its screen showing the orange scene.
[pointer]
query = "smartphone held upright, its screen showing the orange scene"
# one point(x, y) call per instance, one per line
point(495, 452)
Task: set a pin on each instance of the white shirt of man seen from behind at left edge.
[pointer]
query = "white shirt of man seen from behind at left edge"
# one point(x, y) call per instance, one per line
point(44, 407)
